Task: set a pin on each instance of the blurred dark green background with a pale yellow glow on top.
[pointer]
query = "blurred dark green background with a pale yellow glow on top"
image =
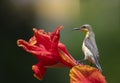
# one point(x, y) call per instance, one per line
point(18, 17)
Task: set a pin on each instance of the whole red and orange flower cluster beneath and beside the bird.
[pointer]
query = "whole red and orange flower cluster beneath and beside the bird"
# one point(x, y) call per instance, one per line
point(50, 52)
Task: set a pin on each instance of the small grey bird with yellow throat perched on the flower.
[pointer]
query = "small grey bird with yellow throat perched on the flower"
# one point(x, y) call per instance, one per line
point(89, 46)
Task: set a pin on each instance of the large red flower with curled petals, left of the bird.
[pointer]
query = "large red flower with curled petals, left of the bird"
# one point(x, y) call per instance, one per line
point(48, 50)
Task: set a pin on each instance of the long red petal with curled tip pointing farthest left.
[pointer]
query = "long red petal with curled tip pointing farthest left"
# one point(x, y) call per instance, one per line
point(40, 52)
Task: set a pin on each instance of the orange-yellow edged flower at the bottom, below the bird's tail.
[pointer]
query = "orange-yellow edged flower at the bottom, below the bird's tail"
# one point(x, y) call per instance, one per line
point(86, 74)
